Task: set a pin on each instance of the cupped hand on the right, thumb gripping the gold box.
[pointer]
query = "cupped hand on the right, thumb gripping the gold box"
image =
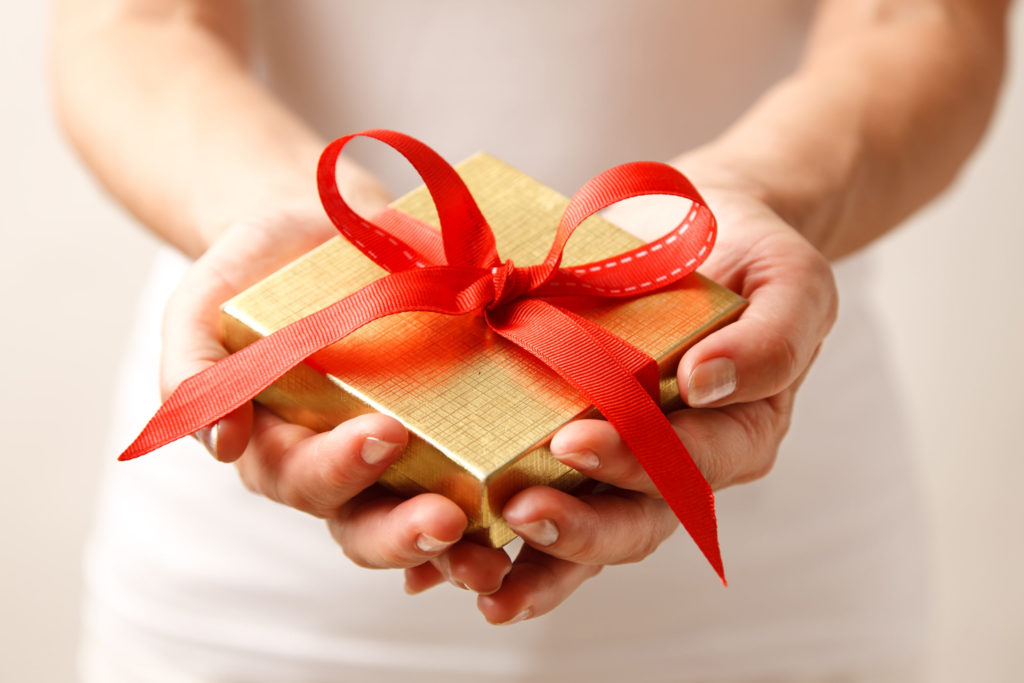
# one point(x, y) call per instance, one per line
point(741, 382)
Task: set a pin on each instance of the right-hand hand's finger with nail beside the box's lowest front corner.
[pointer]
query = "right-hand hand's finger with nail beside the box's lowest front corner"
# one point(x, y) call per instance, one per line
point(611, 528)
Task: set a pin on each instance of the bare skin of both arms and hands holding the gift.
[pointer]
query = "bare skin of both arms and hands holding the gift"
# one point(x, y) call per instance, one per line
point(889, 101)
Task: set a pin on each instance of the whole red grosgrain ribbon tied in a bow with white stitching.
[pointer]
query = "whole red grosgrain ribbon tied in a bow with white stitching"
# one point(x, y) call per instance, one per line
point(458, 272)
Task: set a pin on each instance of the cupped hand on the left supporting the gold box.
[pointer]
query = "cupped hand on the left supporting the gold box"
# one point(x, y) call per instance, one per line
point(331, 476)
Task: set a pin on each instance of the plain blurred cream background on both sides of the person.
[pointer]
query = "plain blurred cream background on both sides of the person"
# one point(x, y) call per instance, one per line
point(949, 287)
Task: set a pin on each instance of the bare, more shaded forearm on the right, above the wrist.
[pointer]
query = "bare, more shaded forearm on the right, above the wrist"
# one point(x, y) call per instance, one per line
point(890, 100)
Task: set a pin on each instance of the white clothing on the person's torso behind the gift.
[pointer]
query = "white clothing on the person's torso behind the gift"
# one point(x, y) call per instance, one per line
point(190, 572)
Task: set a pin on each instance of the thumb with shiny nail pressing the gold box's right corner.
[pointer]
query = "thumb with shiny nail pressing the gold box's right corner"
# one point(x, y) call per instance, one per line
point(793, 305)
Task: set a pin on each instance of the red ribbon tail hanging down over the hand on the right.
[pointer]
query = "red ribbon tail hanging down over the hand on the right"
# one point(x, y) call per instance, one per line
point(563, 345)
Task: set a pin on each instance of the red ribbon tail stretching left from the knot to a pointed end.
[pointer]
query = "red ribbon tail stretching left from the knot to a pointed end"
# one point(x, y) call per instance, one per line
point(222, 389)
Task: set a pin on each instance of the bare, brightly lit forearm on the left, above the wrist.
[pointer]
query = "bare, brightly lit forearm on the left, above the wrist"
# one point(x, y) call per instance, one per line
point(157, 99)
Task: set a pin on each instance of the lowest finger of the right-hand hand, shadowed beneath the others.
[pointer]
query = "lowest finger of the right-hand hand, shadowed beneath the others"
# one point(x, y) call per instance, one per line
point(537, 584)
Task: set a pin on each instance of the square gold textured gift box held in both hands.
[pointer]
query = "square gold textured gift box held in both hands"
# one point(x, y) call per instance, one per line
point(480, 411)
